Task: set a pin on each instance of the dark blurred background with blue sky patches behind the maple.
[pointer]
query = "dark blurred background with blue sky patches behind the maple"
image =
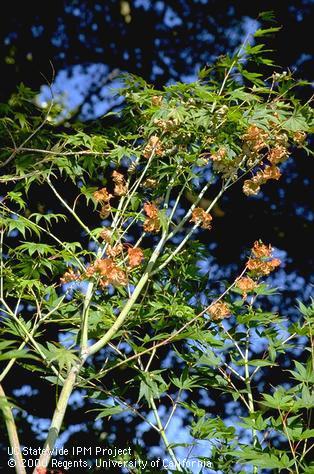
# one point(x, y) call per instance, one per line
point(86, 42)
